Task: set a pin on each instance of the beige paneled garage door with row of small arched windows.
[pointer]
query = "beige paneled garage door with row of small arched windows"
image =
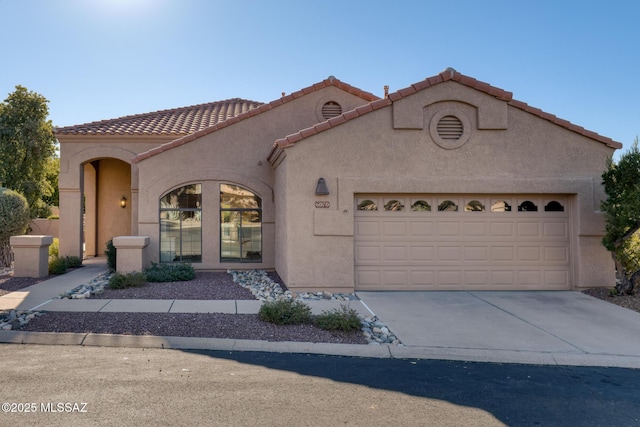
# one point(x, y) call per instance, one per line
point(464, 242)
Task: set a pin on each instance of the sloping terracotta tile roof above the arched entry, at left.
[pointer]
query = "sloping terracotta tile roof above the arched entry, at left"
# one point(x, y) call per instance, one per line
point(177, 121)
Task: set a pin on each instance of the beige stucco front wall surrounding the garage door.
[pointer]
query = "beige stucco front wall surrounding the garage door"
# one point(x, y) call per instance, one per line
point(516, 152)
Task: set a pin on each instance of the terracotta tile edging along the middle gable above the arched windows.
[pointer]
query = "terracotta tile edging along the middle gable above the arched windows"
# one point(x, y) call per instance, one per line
point(330, 81)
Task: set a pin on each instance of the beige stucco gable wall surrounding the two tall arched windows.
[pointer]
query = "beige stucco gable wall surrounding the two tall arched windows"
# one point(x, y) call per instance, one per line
point(236, 155)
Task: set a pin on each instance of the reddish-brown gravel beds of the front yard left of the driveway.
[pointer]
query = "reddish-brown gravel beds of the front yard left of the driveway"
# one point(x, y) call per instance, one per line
point(206, 286)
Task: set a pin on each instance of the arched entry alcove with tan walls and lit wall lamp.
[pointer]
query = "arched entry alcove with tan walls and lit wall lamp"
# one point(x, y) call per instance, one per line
point(107, 203)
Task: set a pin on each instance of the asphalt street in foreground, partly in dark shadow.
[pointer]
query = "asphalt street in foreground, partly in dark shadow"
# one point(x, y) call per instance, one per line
point(75, 385)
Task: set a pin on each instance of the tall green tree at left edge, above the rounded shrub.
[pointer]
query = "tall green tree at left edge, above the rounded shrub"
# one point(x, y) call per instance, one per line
point(27, 145)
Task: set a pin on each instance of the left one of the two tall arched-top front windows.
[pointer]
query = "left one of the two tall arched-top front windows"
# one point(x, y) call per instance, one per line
point(180, 225)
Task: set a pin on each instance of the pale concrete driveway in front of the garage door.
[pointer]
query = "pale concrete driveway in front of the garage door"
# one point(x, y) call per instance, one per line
point(567, 327)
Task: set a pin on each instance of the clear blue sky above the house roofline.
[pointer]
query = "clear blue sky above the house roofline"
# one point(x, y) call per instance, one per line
point(101, 59)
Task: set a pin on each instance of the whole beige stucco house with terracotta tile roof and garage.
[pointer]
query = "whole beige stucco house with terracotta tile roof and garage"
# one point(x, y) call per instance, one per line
point(447, 184)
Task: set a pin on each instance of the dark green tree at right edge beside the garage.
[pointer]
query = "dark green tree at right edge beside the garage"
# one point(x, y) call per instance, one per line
point(621, 210)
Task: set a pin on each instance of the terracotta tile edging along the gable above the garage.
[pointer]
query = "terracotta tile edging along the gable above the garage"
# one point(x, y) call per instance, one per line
point(446, 75)
